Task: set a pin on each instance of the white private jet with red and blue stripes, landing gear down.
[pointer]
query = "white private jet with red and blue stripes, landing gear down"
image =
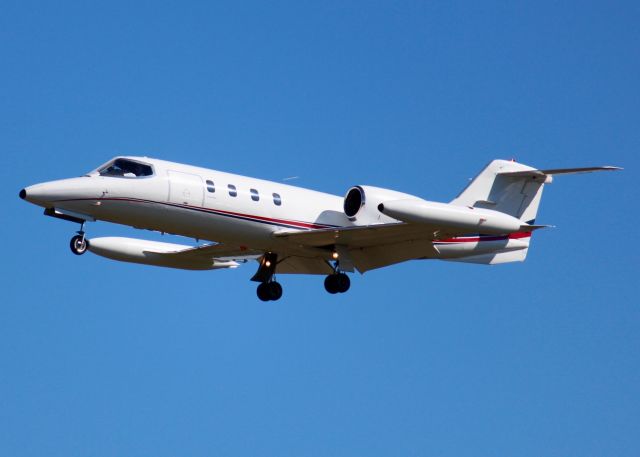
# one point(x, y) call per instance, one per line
point(292, 230)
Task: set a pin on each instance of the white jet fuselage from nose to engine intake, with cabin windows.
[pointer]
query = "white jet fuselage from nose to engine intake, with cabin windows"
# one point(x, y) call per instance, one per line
point(196, 202)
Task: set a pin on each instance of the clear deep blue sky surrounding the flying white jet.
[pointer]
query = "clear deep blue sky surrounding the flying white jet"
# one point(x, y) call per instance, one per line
point(420, 359)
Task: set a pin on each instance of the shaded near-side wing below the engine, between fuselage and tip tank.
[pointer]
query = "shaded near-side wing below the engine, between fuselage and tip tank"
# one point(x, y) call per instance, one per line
point(372, 246)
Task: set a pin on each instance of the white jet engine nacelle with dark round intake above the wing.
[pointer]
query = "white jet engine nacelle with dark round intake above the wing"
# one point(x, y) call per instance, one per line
point(361, 204)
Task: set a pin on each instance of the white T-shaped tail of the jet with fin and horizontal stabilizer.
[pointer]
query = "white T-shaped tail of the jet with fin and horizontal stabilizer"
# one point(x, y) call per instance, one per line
point(515, 189)
